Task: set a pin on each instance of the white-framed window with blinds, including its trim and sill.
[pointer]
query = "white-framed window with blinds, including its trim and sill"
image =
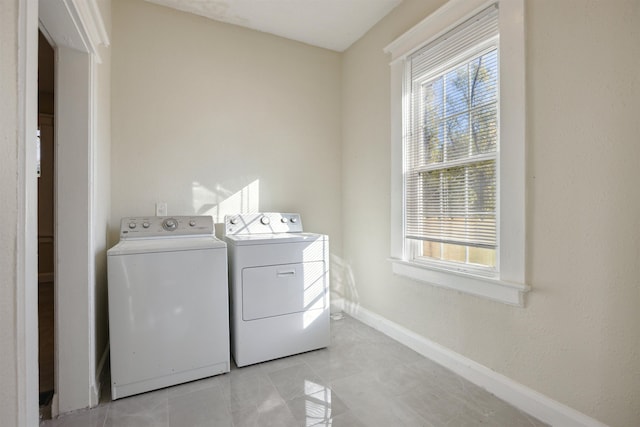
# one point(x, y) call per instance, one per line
point(458, 149)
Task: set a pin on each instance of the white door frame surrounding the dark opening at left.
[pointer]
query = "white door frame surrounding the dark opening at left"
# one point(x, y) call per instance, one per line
point(75, 29)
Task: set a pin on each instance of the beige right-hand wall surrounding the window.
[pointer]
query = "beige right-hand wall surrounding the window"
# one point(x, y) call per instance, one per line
point(578, 339)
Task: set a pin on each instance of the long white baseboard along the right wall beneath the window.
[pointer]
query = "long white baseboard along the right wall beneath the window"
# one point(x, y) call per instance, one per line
point(530, 401)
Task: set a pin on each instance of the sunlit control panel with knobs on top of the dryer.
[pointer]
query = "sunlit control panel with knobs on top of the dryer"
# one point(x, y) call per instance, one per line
point(262, 223)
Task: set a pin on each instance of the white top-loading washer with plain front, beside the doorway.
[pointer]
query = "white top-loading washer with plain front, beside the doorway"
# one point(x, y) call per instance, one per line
point(168, 303)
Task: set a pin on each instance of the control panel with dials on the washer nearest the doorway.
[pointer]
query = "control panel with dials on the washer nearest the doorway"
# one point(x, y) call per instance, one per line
point(157, 226)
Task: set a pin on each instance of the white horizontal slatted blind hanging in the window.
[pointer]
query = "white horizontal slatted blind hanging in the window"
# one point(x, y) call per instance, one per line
point(451, 136)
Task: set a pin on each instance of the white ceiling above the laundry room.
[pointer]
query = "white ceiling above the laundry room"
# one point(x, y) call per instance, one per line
point(331, 24)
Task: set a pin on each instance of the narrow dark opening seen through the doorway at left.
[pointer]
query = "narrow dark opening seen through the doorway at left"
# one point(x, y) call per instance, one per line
point(46, 229)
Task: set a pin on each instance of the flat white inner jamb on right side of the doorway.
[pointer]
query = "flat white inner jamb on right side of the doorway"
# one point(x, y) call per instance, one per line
point(75, 277)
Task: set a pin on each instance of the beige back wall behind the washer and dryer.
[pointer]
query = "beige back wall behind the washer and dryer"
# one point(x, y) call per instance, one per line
point(205, 113)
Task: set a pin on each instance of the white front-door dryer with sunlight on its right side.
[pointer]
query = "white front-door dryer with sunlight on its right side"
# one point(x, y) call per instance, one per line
point(279, 287)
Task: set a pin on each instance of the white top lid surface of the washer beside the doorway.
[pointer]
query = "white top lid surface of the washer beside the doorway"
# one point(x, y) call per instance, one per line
point(169, 244)
